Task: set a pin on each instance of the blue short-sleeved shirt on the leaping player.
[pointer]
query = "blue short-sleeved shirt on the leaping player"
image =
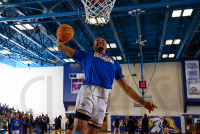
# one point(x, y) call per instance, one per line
point(100, 69)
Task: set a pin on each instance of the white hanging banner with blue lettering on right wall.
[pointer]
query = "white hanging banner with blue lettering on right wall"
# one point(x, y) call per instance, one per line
point(192, 79)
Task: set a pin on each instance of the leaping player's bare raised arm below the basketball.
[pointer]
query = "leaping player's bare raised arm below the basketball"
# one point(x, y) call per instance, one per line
point(67, 50)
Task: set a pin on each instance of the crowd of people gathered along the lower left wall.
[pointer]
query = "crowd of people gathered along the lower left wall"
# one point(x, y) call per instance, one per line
point(17, 122)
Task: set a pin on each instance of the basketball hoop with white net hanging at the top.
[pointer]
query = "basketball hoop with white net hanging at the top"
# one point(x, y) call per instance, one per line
point(98, 11)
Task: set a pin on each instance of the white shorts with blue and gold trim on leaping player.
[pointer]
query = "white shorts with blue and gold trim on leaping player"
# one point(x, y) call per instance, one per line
point(91, 104)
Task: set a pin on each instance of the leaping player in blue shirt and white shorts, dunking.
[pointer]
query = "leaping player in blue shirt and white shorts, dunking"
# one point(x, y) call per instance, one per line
point(100, 70)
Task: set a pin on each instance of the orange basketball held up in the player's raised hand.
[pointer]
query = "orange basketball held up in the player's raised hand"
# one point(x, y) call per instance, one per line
point(65, 33)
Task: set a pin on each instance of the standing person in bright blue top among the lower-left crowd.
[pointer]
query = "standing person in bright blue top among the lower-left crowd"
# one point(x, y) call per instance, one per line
point(16, 126)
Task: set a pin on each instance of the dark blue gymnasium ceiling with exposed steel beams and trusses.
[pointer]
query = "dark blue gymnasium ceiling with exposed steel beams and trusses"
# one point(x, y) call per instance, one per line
point(150, 19)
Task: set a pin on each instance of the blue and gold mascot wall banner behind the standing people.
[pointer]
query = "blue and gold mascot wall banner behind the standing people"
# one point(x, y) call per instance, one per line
point(155, 124)
